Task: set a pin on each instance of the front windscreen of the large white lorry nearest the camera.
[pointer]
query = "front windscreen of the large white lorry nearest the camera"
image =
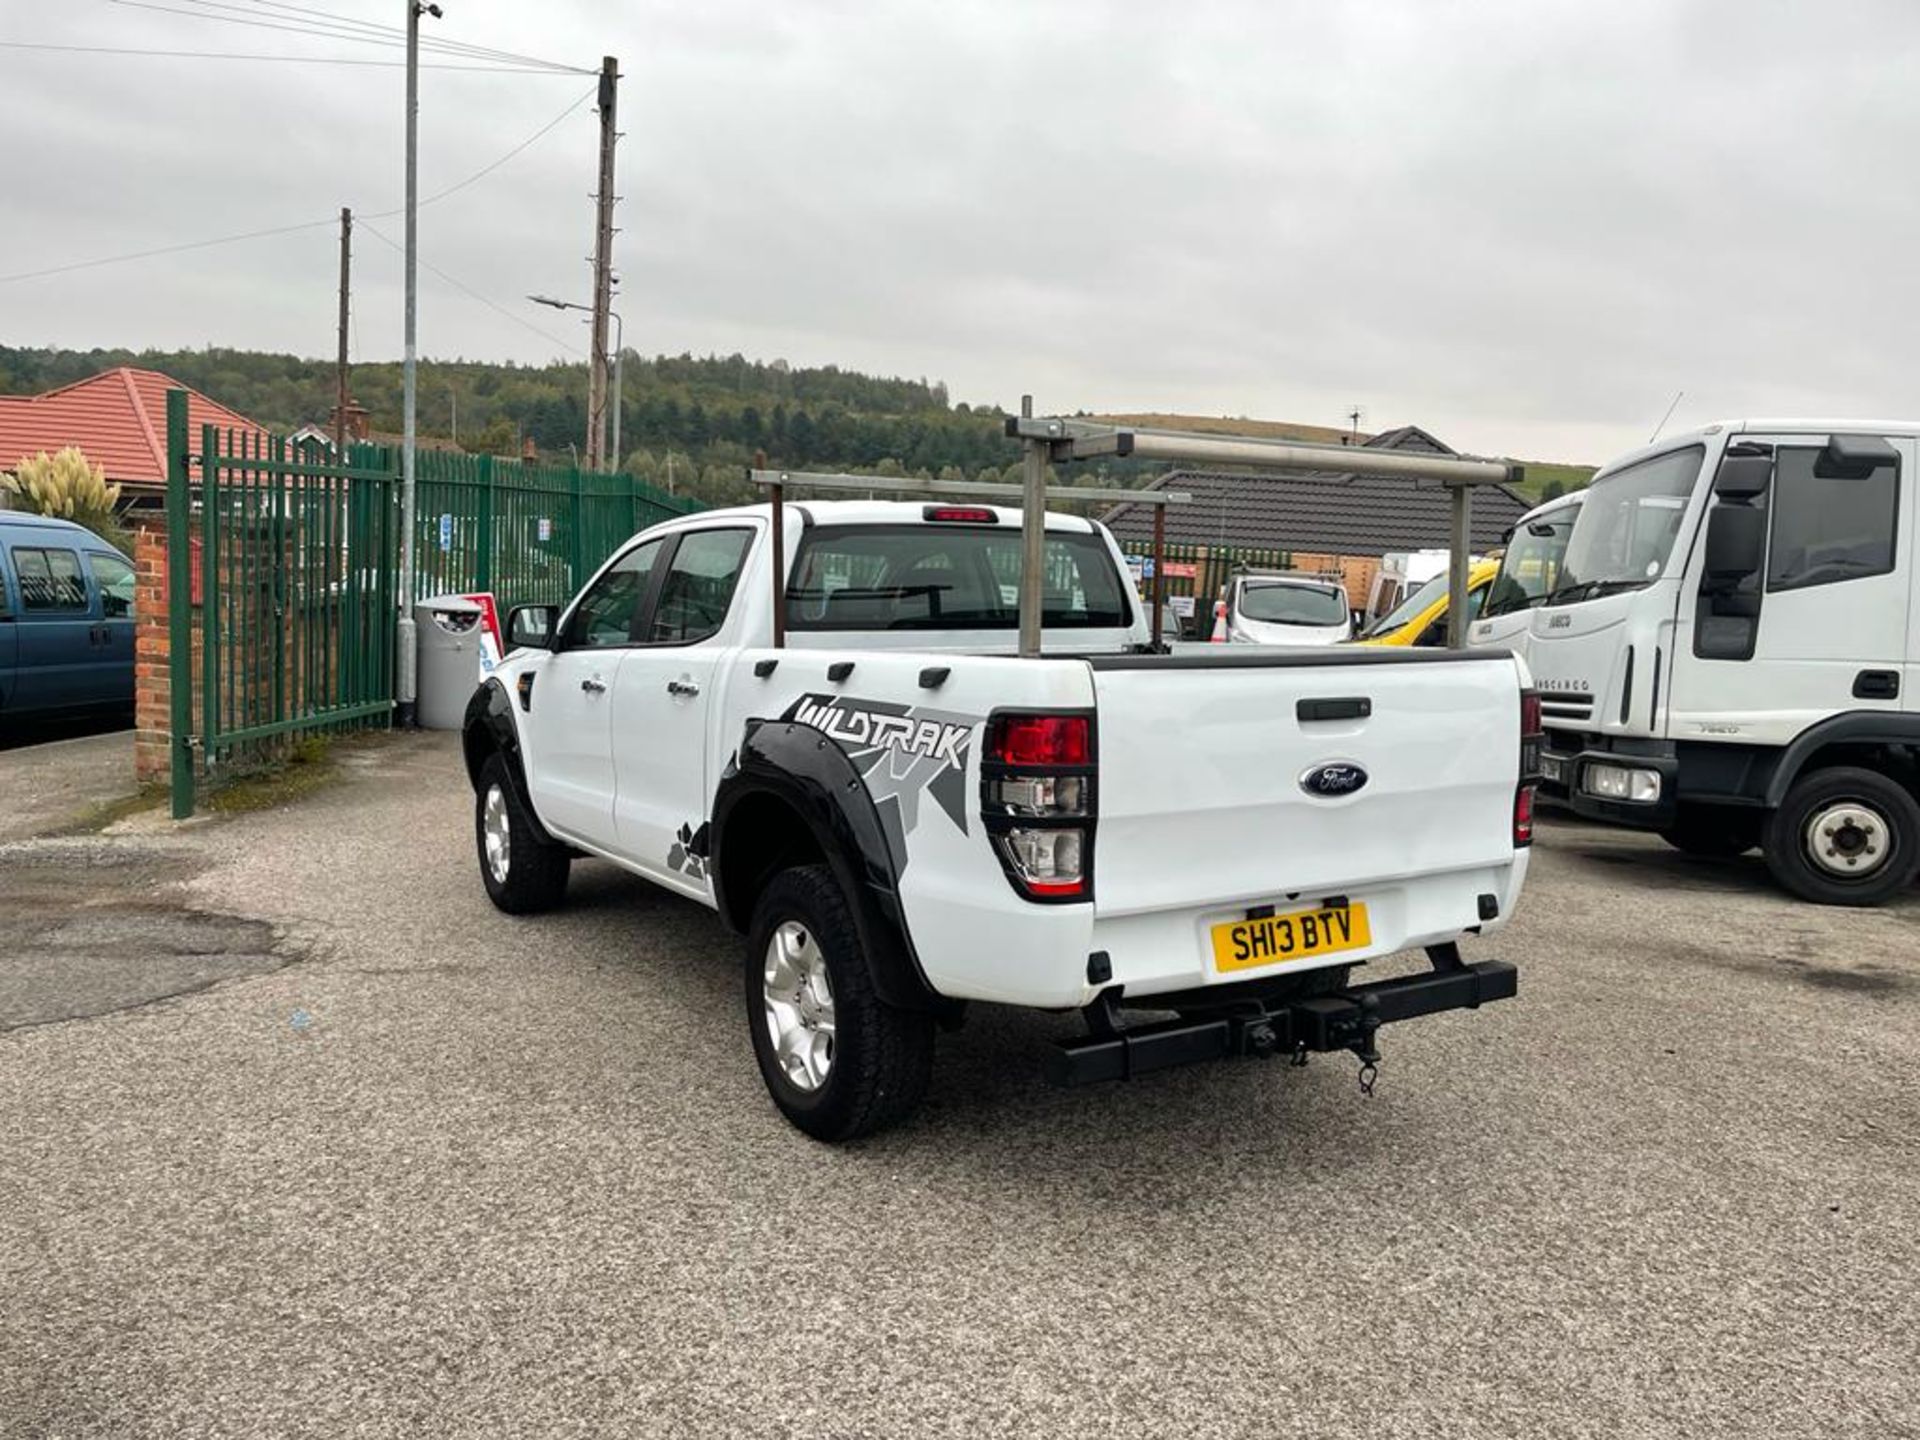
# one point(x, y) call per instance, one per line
point(1627, 527)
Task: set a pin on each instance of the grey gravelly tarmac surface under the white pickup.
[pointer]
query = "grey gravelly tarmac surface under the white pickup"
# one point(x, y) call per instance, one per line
point(469, 1176)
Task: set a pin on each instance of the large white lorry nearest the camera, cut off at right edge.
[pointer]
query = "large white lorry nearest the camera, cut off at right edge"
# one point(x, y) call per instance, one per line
point(1731, 652)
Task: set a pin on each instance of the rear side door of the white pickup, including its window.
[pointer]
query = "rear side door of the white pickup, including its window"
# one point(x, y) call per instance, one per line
point(663, 706)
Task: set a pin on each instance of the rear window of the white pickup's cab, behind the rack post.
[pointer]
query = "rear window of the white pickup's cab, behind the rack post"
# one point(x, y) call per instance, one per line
point(948, 577)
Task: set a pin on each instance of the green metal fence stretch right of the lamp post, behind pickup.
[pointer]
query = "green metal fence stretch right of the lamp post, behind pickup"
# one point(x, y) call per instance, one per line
point(529, 533)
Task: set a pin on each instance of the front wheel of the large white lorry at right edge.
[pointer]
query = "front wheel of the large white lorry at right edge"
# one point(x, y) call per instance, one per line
point(1846, 836)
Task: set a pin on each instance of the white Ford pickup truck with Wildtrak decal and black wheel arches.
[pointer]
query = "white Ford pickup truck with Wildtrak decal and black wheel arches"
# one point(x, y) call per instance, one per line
point(905, 817)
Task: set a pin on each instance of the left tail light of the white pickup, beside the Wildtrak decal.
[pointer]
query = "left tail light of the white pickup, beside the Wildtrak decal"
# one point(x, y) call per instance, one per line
point(1038, 802)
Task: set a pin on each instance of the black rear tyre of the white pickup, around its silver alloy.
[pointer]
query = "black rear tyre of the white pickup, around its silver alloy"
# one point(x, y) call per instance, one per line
point(880, 1057)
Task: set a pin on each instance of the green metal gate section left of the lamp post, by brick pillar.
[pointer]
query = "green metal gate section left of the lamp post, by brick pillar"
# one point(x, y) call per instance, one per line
point(293, 592)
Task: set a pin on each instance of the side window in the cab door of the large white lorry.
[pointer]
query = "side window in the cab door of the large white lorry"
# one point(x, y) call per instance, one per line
point(1829, 529)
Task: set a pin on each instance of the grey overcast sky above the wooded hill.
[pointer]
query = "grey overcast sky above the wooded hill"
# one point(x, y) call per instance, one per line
point(1522, 224)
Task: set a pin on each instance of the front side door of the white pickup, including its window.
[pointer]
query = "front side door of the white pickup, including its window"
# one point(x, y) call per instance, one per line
point(569, 719)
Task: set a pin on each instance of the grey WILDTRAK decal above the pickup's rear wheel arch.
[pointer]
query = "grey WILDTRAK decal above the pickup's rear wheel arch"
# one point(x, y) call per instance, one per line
point(901, 752)
